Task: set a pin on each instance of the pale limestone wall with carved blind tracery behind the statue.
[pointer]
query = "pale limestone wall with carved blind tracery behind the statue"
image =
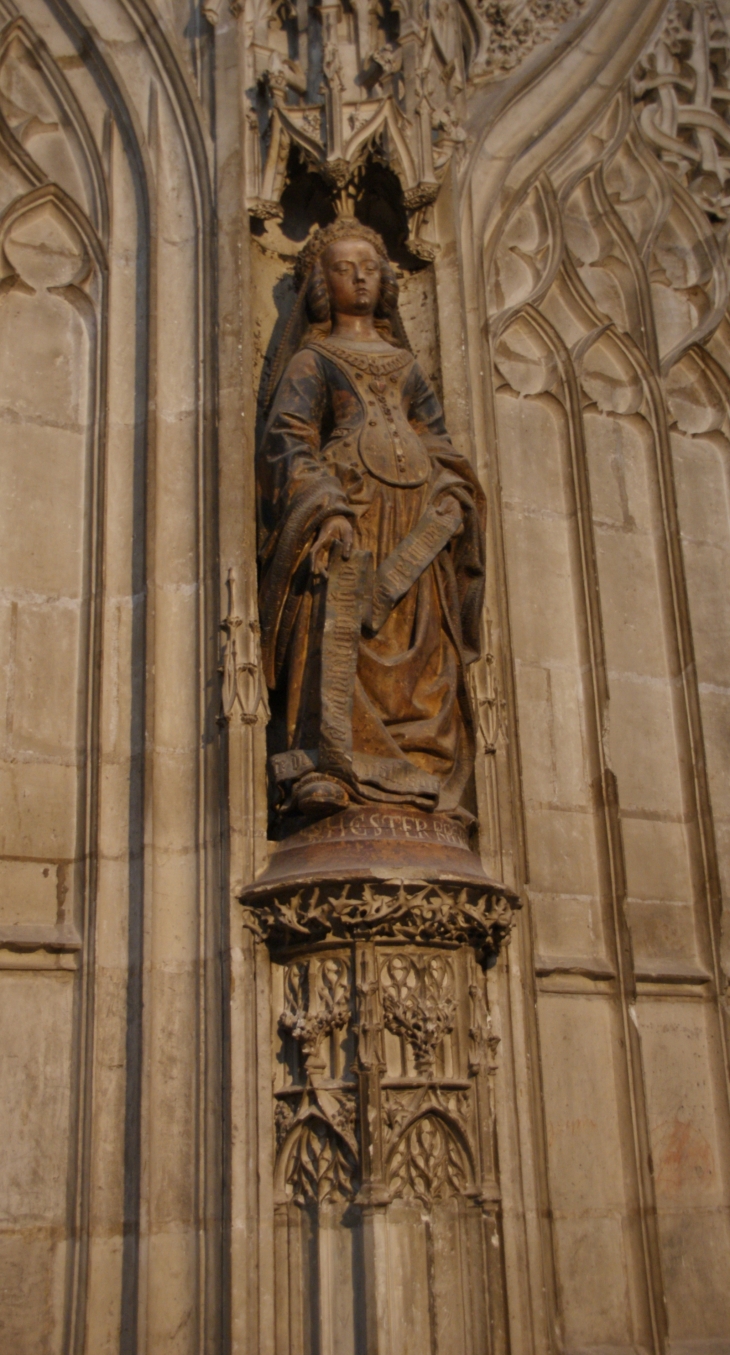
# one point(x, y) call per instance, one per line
point(565, 281)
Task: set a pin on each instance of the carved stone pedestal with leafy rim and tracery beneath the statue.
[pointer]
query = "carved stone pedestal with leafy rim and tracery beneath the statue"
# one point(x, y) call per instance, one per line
point(380, 923)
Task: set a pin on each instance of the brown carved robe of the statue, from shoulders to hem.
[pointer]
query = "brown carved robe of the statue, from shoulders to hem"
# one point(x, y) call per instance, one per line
point(360, 432)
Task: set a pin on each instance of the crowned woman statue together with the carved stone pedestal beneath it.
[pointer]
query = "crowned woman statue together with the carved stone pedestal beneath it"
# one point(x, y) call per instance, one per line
point(374, 904)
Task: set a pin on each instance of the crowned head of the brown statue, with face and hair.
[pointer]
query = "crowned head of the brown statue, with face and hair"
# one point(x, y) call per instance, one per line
point(349, 273)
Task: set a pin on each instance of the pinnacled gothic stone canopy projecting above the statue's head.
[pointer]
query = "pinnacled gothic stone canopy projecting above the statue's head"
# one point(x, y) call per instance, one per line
point(343, 83)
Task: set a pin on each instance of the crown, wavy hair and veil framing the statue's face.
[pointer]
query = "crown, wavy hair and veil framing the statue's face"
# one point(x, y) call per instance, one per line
point(314, 301)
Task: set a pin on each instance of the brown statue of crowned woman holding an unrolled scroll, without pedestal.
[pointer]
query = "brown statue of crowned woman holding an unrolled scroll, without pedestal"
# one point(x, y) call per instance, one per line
point(372, 554)
